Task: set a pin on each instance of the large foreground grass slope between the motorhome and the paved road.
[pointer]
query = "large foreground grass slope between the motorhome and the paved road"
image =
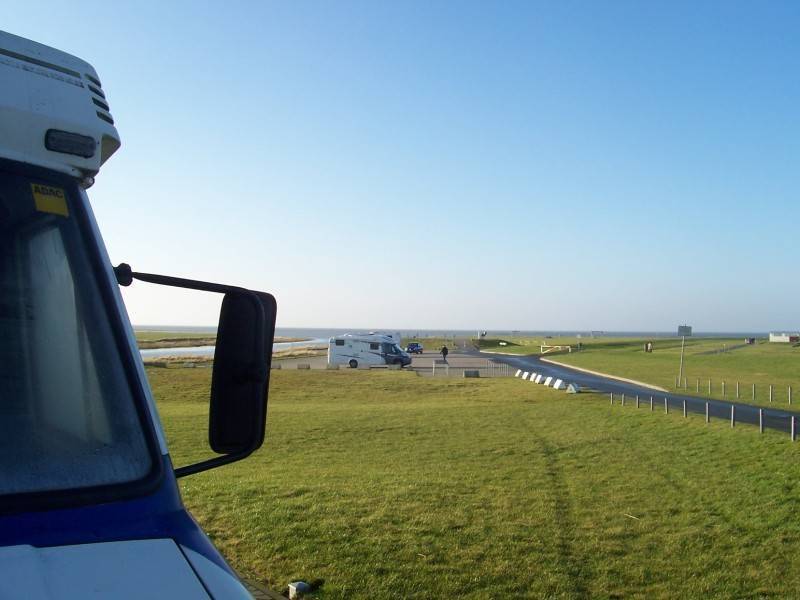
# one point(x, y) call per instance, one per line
point(389, 485)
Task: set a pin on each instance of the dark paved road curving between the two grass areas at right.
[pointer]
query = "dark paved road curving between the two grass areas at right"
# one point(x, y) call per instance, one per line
point(718, 409)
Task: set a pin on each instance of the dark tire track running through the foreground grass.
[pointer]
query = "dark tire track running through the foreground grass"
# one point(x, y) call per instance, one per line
point(574, 566)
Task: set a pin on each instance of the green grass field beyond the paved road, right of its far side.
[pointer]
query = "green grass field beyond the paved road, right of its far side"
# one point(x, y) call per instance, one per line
point(761, 364)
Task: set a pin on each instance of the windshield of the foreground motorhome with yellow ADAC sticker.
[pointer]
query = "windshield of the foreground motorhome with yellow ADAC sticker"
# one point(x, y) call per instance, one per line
point(67, 416)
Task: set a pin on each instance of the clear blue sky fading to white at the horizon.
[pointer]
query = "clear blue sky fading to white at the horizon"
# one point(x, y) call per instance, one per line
point(508, 165)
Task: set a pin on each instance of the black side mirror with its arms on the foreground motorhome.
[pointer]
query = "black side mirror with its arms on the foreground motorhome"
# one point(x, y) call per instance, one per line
point(242, 361)
